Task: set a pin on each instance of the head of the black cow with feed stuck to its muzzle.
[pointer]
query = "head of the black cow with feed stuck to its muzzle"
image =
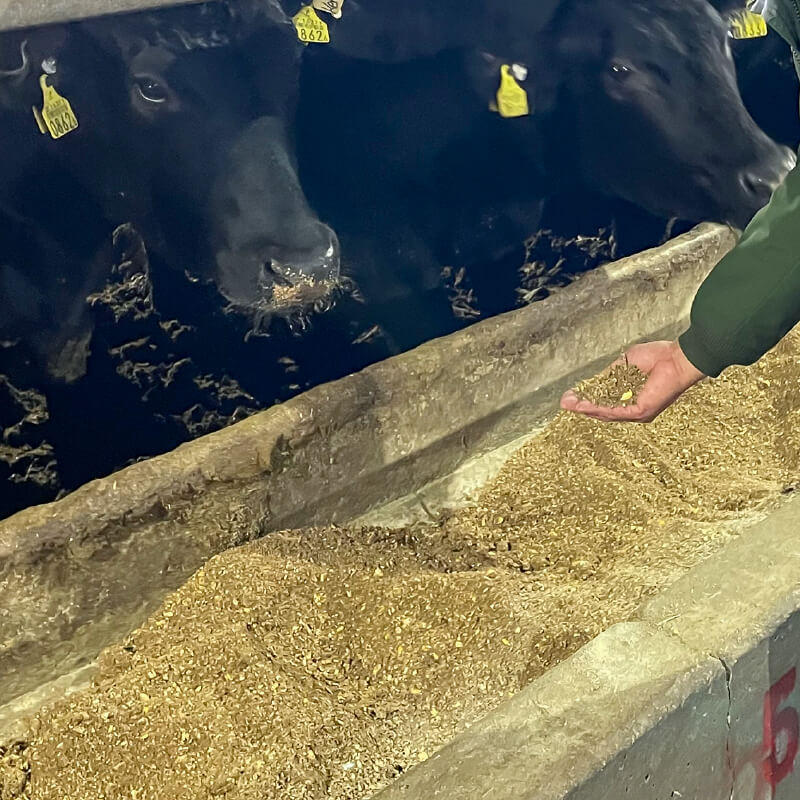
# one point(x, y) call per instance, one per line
point(211, 122)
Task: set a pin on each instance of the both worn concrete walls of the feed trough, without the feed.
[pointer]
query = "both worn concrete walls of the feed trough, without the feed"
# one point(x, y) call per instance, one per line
point(672, 700)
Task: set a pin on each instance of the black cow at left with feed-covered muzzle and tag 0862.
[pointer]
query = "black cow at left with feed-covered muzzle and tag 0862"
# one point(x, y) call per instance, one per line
point(184, 122)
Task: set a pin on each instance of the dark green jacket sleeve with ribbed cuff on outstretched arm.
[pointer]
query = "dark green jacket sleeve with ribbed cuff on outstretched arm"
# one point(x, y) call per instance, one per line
point(751, 299)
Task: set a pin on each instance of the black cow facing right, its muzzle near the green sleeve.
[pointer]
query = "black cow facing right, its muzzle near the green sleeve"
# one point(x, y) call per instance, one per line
point(636, 98)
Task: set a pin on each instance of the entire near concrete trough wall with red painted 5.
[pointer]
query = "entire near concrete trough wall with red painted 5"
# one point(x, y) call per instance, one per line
point(698, 698)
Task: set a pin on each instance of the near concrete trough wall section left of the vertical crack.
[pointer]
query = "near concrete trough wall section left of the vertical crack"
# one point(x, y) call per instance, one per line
point(563, 728)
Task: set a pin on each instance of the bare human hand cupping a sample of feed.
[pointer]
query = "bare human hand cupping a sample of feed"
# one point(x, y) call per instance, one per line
point(669, 373)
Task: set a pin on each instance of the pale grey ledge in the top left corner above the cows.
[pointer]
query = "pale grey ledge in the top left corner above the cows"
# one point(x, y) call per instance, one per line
point(28, 13)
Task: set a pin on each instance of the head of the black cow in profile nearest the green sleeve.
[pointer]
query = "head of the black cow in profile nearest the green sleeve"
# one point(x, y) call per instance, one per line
point(656, 112)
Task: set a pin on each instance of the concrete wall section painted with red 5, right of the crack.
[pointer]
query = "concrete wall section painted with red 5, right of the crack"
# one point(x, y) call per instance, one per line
point(743, 608)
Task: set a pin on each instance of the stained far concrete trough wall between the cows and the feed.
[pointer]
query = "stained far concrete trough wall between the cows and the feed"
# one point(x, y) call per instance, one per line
point(77, 574)
